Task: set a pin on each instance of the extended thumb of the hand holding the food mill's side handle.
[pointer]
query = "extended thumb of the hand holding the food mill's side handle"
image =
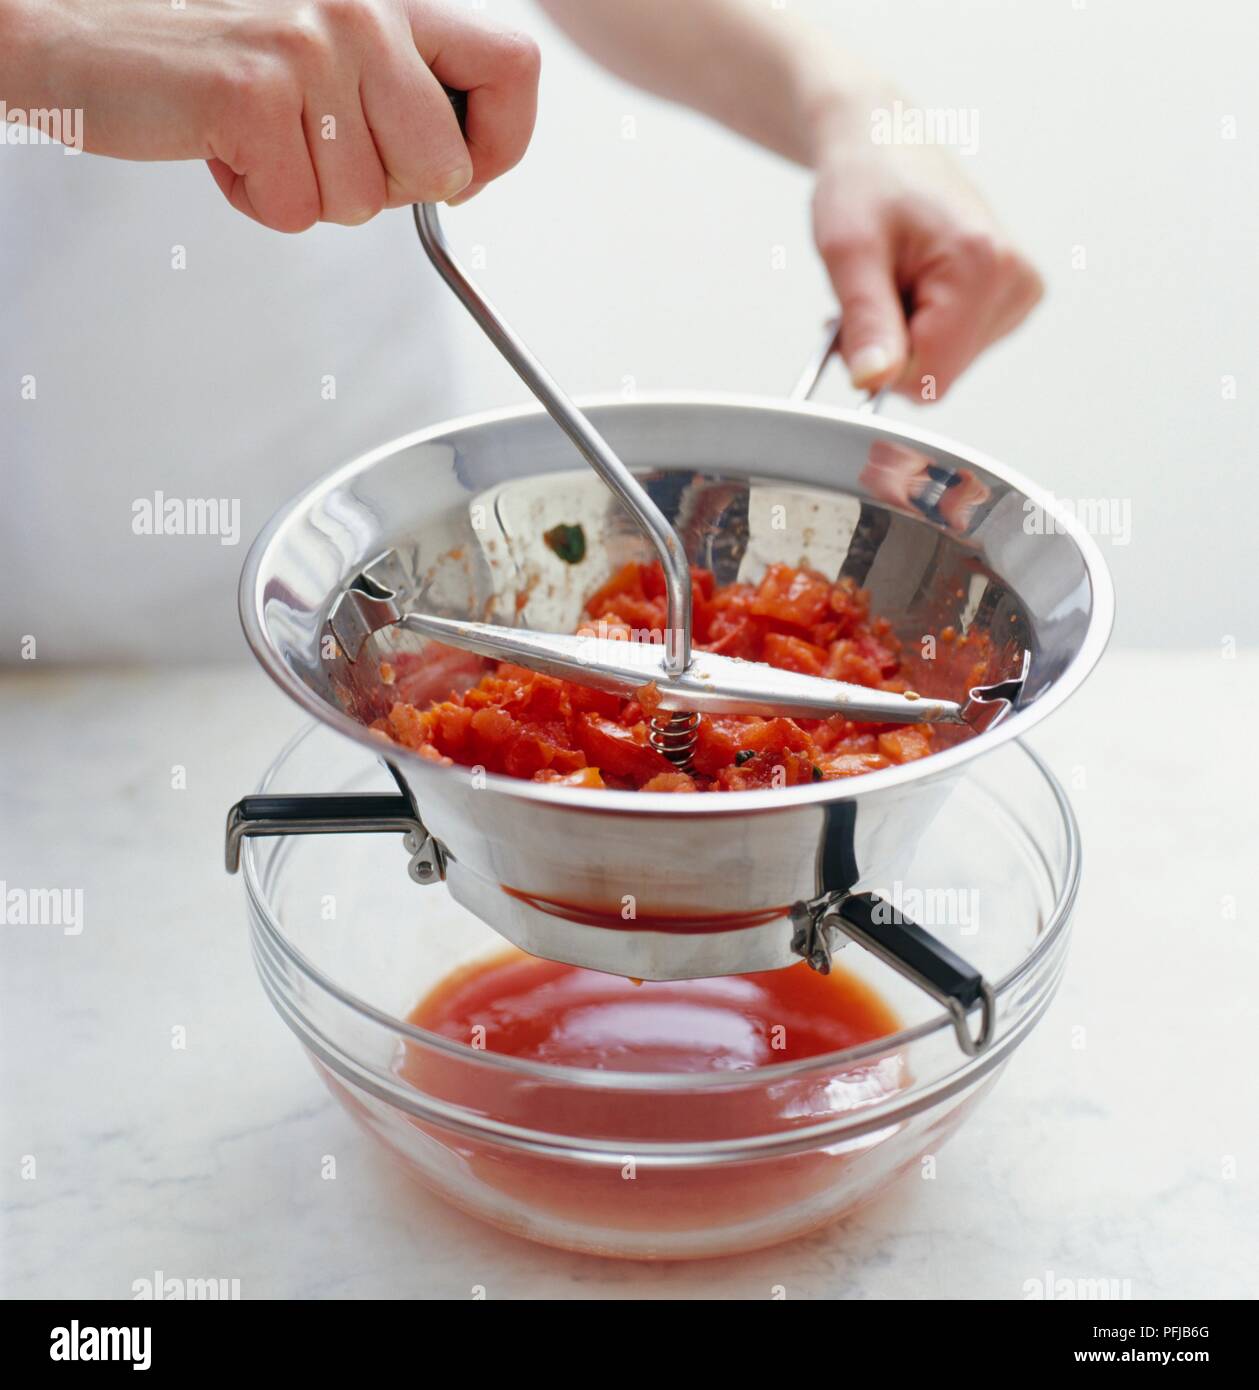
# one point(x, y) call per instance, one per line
point(873, 338)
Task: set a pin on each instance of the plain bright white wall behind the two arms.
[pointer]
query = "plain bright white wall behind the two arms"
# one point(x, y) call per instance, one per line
point(1100, 127)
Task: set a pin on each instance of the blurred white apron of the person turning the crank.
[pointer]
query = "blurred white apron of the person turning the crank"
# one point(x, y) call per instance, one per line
point(166, 368)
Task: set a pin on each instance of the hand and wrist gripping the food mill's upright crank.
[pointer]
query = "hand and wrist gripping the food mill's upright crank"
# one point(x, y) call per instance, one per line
point(306, 111)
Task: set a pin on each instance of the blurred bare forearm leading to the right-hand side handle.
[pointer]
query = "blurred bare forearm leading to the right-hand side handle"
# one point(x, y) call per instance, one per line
point(755, 70)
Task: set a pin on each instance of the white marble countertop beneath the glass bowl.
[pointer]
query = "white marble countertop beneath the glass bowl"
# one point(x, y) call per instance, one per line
point(1135, 1159)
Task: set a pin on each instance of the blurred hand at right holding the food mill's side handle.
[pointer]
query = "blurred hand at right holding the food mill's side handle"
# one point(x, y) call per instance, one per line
point(925, 277)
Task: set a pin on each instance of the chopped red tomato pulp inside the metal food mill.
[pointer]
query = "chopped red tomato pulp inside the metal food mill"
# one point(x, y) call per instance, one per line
point(540, 728)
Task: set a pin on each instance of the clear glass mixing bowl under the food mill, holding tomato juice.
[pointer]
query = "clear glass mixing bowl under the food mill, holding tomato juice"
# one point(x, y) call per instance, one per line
point(644, 1166)
